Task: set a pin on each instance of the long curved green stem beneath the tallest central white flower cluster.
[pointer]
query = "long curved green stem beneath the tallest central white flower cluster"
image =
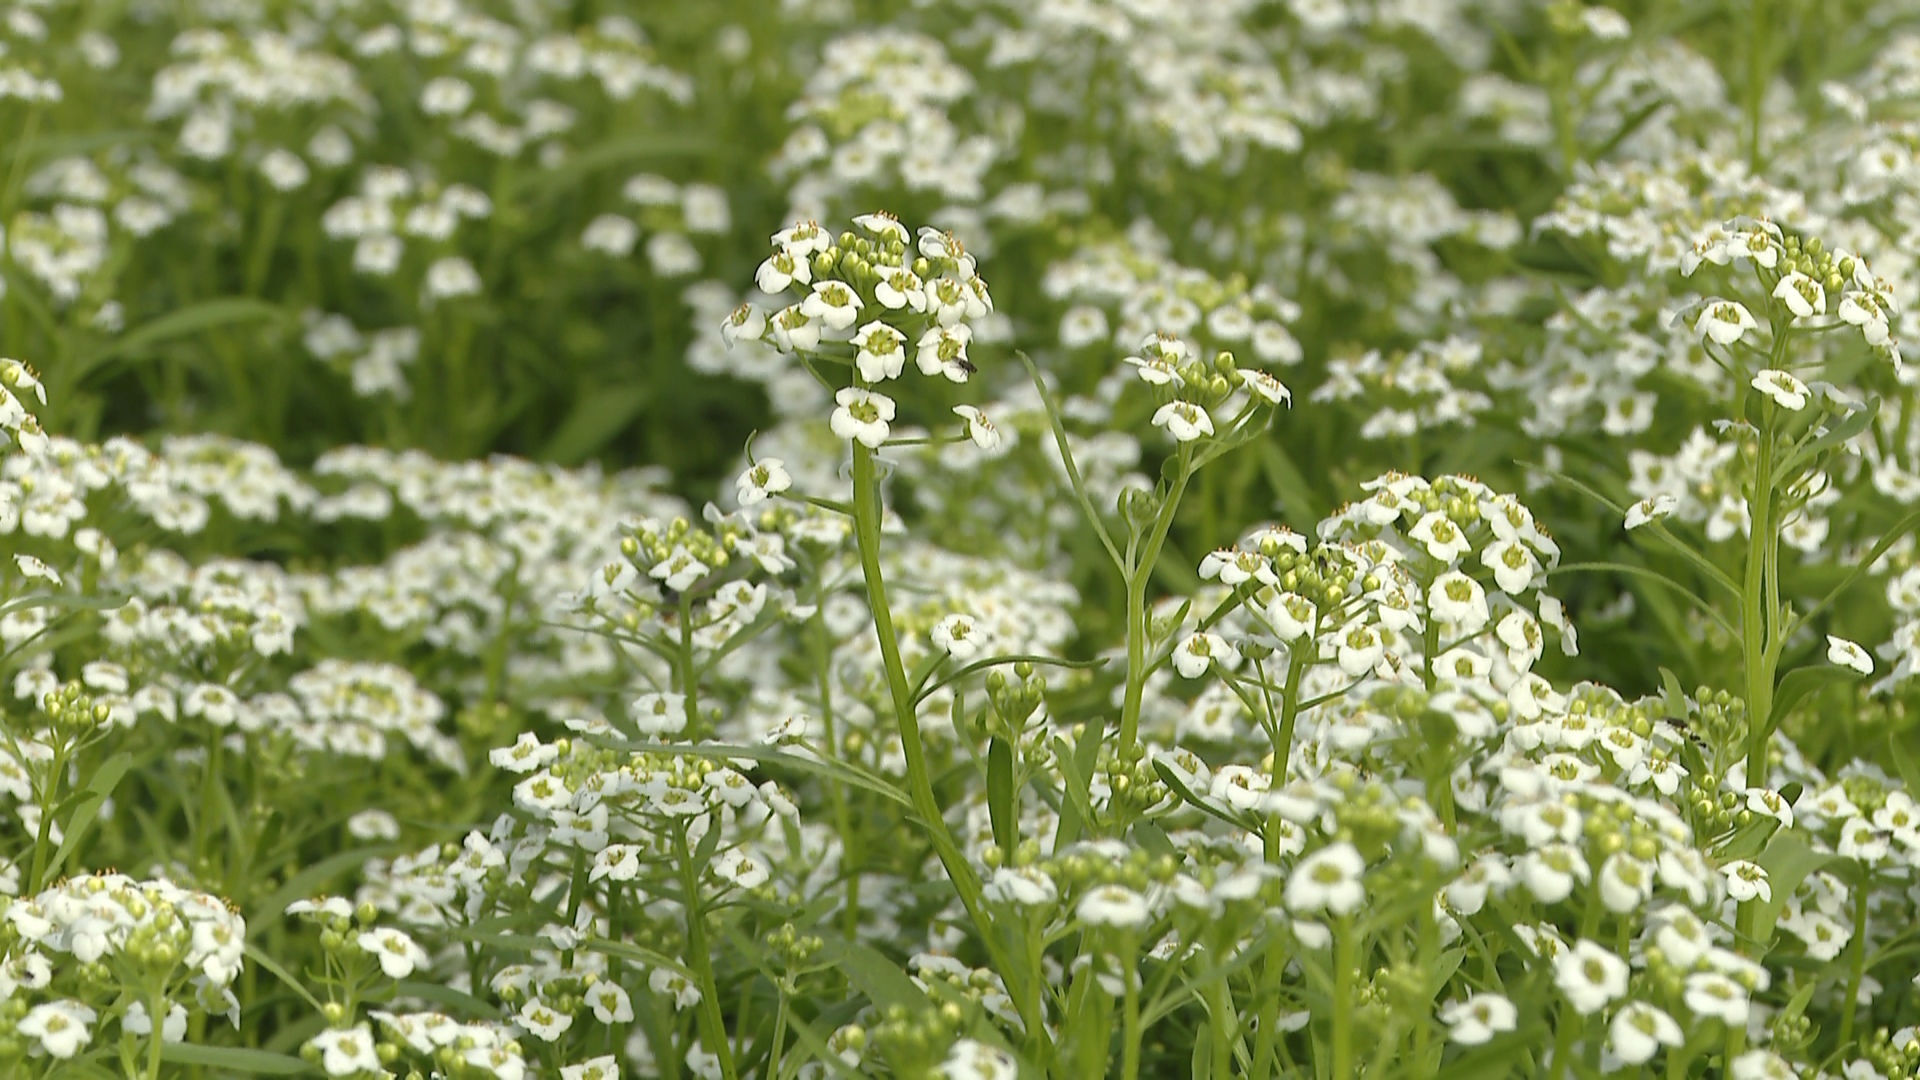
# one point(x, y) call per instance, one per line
point(919, 777)
